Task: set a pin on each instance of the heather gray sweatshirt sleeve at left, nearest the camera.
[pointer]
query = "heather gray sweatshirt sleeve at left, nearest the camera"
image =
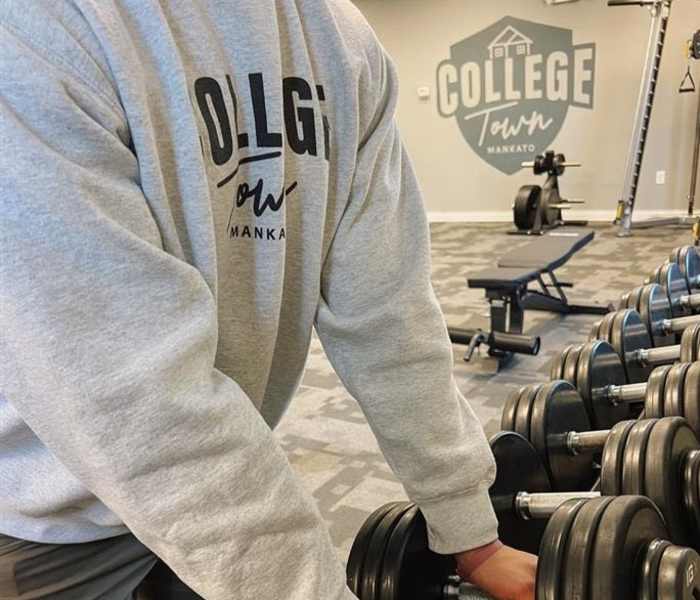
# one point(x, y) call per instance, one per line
point(108, 346)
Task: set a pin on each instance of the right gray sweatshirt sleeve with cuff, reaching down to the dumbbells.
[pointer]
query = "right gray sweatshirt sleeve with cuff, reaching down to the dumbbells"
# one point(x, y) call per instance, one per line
point(383, 330)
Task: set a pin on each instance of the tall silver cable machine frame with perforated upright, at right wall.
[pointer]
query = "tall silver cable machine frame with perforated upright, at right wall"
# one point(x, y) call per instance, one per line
point(660, 15)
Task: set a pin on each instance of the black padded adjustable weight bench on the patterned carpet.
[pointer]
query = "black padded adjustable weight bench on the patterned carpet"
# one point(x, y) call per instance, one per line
point(509, 293)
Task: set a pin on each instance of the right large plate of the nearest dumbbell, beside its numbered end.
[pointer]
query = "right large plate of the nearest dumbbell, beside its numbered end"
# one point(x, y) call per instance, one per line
point(627, 527)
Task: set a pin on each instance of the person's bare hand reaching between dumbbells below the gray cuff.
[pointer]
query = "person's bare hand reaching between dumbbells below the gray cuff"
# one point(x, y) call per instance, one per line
point(507, 575)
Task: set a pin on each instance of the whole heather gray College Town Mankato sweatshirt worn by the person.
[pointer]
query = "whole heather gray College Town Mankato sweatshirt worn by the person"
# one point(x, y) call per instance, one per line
point(187, 189)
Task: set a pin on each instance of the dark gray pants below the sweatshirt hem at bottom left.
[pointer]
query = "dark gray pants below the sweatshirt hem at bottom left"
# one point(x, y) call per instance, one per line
point(119, 568)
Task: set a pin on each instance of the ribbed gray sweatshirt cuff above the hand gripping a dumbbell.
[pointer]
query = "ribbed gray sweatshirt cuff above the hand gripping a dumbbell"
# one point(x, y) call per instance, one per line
point(461, 522)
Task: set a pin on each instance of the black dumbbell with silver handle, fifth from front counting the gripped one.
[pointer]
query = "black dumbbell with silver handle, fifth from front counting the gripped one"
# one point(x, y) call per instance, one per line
point(627, 333)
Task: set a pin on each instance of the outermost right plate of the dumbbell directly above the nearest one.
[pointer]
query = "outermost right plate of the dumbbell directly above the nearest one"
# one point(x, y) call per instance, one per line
point(670, 440)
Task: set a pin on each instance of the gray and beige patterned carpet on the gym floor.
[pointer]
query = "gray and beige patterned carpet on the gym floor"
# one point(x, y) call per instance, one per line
point(325, 434)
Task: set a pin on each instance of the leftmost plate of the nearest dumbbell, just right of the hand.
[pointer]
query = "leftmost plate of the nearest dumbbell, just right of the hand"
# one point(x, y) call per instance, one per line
point(553, 550)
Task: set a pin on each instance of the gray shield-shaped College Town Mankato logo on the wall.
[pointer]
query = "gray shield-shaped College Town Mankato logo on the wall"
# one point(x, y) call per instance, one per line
point(510, 87)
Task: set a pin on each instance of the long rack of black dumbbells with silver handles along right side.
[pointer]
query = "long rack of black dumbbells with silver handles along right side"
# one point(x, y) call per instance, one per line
point(610, 504)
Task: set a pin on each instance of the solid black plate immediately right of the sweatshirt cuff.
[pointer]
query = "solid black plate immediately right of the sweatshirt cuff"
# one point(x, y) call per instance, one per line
point(518, 468)
